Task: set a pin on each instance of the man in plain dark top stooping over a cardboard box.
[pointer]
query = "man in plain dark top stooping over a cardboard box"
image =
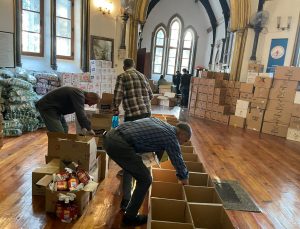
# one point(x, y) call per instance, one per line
point(66, 100)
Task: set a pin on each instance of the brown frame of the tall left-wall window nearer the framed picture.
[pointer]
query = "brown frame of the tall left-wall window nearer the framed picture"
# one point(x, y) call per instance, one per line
point(71, 57)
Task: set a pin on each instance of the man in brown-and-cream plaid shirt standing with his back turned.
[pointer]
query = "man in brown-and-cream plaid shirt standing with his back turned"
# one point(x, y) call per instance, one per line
point(133, 90)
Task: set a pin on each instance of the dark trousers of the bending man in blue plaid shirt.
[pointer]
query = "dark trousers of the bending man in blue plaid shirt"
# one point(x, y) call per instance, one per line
point(127, 158)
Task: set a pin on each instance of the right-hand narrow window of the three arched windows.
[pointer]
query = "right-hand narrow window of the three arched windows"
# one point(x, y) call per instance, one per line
point(187, 50)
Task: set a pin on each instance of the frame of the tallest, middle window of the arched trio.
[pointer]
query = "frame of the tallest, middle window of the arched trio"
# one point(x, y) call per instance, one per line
point(169, 47)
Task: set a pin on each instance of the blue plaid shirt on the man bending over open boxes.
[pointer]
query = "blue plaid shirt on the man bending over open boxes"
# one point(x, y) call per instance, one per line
point(154, 135)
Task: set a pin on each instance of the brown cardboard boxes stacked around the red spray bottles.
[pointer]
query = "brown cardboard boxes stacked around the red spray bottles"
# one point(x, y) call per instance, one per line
point(62, 150)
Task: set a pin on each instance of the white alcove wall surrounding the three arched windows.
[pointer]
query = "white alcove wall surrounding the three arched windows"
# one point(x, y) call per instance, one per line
point(193, 14)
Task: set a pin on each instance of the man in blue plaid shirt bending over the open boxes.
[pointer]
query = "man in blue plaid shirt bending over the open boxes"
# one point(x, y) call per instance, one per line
point(125, 144)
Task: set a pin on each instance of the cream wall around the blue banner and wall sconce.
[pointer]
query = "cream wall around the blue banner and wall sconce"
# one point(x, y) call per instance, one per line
point(275, 8)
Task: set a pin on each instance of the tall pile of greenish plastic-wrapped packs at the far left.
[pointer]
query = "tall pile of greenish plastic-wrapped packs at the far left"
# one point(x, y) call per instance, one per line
point(20, 114)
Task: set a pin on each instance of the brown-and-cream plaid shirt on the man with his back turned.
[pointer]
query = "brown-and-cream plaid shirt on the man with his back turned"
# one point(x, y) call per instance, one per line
point(132, 88)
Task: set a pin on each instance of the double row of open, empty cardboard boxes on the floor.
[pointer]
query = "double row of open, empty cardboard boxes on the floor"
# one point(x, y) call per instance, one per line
point(172, 205)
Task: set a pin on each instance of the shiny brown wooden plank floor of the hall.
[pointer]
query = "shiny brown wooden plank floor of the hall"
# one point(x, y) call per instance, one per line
point(267, 167)
